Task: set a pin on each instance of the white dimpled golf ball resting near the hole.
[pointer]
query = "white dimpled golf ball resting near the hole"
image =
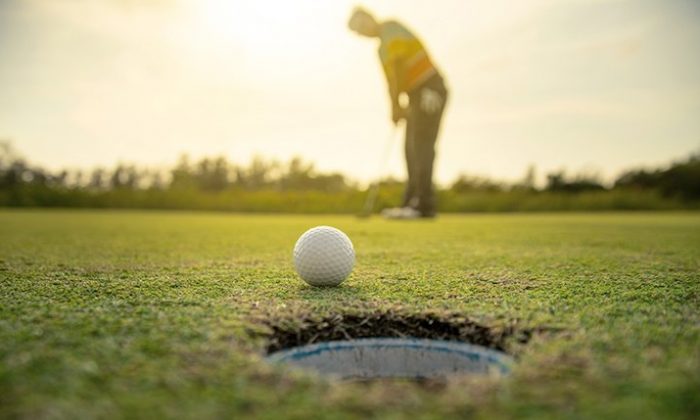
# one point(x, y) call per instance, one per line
point(324, 256)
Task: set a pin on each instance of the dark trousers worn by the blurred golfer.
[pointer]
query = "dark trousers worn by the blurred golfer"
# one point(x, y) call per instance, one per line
point(422, 128)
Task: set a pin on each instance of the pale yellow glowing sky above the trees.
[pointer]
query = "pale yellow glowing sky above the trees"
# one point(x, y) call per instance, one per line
point(584, 84)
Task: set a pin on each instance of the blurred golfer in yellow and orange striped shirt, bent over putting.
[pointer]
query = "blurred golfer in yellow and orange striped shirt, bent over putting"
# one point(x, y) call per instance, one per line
point(410, 71)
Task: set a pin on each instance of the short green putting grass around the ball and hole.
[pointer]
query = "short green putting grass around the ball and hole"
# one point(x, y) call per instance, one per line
point(156, 314)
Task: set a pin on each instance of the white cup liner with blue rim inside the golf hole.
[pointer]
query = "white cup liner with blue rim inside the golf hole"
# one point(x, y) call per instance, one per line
point(395, 358)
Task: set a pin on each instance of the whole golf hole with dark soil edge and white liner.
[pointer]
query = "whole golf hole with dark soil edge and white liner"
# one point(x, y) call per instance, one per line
point(392, 345)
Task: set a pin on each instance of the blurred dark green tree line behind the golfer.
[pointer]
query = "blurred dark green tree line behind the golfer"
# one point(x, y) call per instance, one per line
point(194, 183)
